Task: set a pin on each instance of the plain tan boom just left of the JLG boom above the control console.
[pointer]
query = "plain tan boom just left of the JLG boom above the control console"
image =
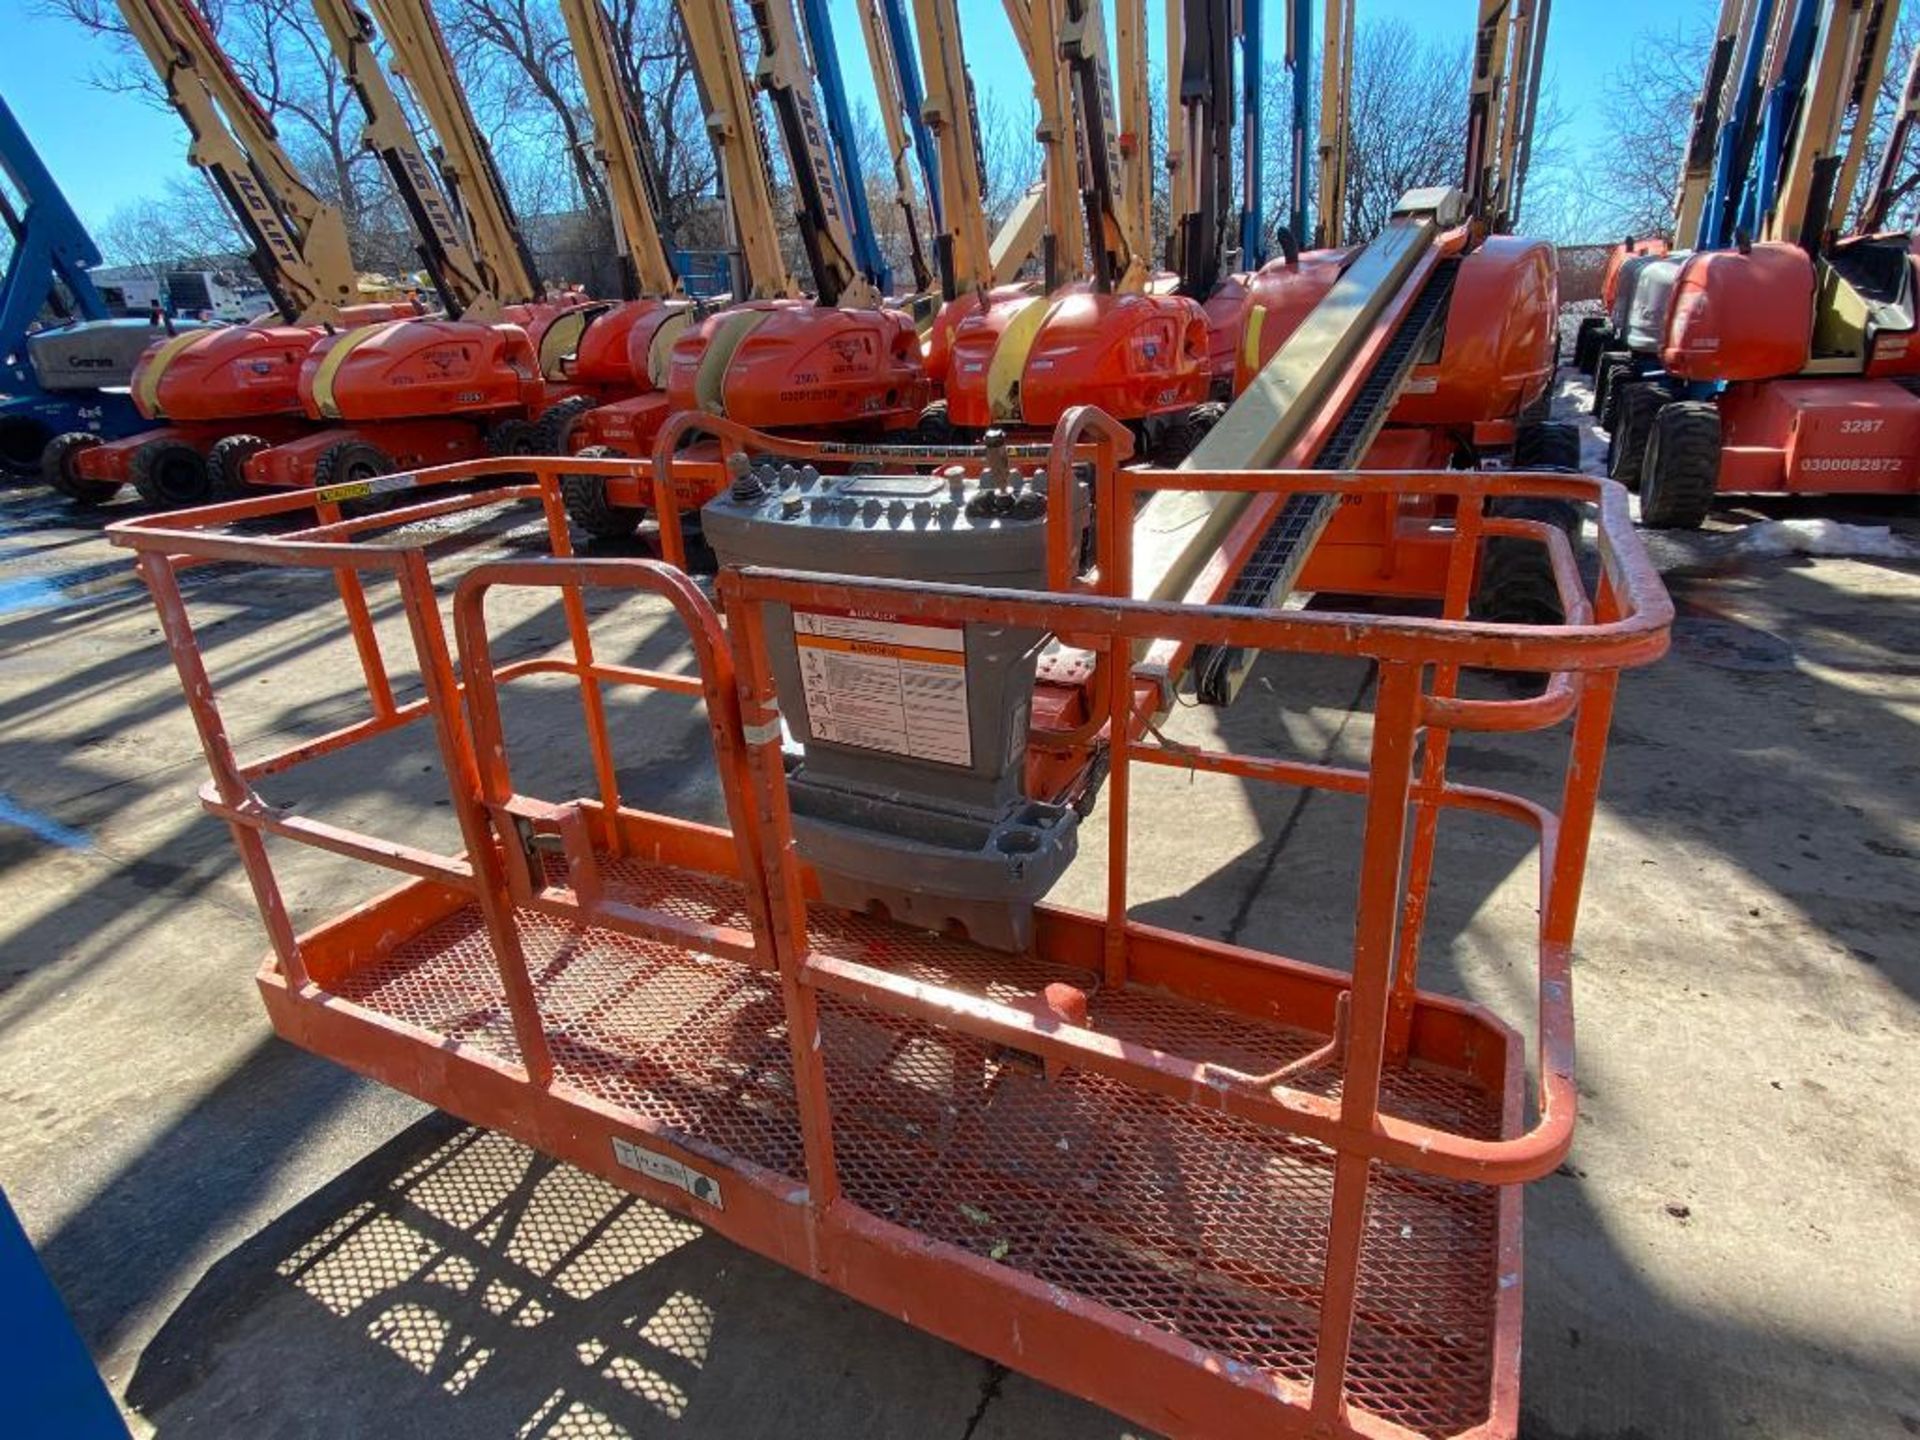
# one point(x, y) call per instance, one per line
point(736, 141)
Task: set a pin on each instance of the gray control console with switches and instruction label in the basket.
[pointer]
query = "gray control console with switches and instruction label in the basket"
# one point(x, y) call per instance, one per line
point(911, 738)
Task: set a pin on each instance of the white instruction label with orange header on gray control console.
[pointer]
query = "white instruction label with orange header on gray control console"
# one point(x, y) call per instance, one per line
point(886, 686)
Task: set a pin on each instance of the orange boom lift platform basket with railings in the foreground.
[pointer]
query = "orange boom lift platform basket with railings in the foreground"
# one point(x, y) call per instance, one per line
point(1214, 1189)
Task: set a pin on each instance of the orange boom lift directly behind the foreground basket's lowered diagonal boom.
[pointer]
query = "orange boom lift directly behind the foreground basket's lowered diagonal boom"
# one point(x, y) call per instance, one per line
point(1476, 370)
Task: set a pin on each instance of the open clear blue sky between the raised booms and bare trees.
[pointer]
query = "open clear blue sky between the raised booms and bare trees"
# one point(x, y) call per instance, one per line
point(108, 149)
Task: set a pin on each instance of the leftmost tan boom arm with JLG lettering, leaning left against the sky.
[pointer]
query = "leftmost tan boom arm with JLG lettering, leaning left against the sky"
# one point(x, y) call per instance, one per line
point(300, 243)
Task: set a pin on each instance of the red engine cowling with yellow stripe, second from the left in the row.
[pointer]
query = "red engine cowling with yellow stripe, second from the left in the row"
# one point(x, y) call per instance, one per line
point(421, 368)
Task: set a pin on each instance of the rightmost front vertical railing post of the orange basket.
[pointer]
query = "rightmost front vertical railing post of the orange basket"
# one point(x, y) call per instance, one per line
point(1378, 911)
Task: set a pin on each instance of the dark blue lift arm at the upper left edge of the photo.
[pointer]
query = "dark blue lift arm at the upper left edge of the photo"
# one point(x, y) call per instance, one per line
point(53, 251)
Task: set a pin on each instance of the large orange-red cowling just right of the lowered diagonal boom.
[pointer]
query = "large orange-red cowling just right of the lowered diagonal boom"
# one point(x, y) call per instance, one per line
point(1500, 331)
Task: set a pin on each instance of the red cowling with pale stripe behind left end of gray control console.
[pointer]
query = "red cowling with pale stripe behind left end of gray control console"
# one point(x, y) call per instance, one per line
point(798, 366)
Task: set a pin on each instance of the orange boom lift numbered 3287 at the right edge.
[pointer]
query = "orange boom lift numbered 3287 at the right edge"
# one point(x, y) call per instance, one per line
point(1781, 356)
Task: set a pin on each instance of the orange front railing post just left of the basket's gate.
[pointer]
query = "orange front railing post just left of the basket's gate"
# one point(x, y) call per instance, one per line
point(464, 784)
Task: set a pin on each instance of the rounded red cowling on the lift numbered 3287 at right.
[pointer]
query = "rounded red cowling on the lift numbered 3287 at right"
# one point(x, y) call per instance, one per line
point(1742, 316)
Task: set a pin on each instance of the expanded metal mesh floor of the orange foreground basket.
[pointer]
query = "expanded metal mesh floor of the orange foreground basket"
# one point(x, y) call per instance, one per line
point(1201, 1226)
